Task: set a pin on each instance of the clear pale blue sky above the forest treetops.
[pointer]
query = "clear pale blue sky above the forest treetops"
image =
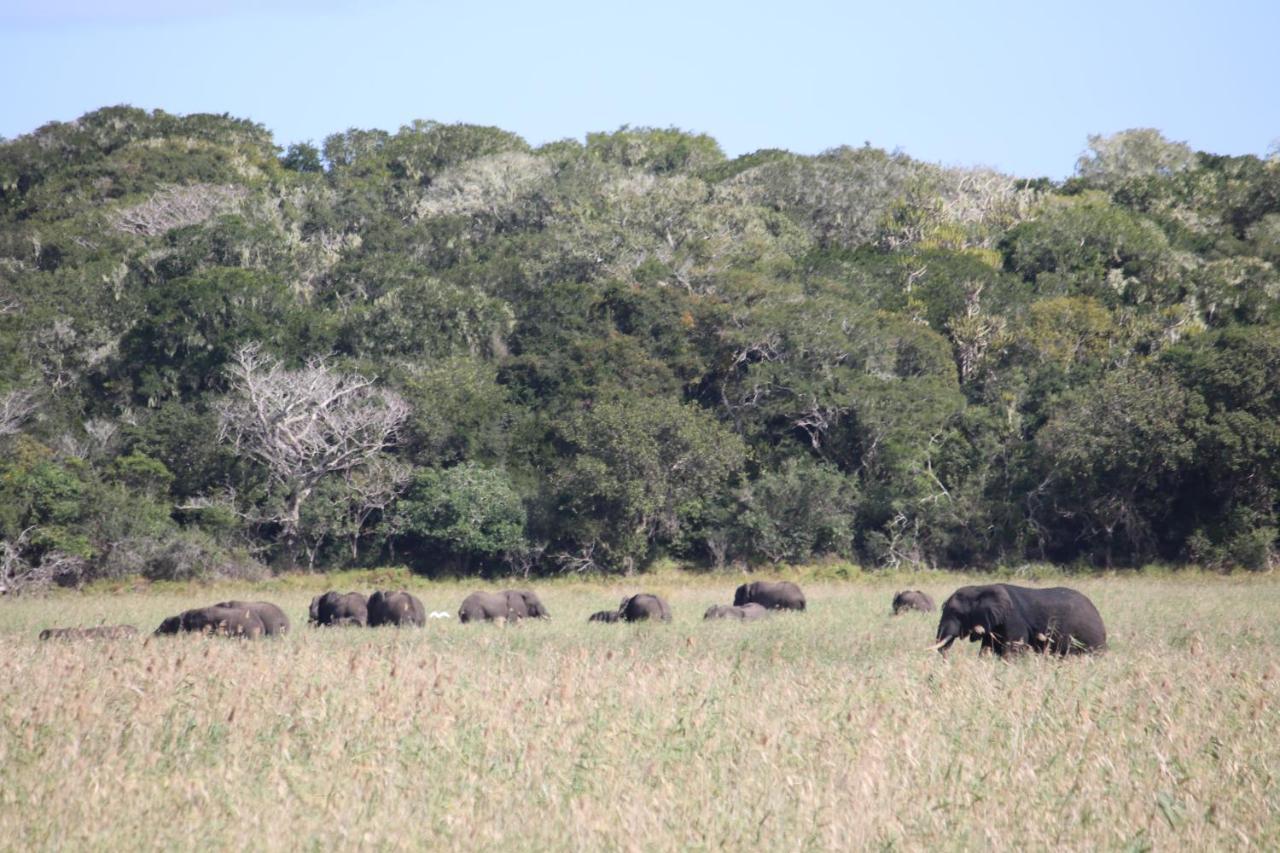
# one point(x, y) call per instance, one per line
point(1013, 85)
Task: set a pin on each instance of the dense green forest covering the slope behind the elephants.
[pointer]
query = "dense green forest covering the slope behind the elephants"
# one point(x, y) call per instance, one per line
point(449, 349)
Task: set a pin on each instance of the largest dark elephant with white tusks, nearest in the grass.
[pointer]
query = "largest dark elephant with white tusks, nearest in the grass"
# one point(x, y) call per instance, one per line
point(1009, 619)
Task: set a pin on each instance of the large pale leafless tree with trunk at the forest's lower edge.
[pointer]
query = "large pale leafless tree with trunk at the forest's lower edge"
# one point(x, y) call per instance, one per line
point(307, 425)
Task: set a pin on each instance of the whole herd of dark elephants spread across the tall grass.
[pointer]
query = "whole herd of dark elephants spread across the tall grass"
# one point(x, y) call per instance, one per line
point(1004, 618)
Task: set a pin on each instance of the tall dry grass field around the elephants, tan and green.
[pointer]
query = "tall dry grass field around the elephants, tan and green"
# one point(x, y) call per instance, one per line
point(830, 729)
